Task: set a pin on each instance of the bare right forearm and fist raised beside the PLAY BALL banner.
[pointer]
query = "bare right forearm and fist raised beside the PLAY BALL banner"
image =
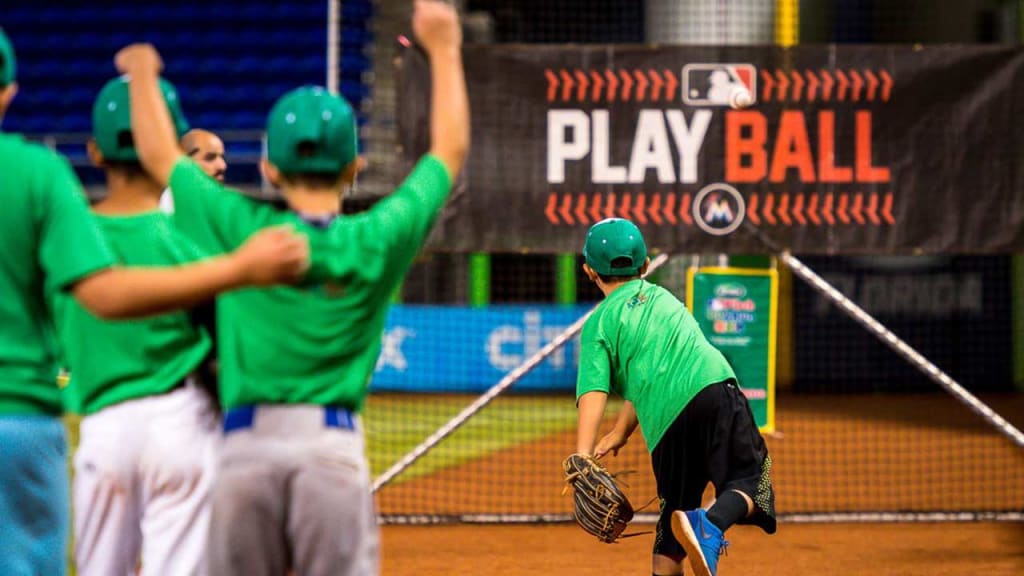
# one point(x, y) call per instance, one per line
point(437, 27)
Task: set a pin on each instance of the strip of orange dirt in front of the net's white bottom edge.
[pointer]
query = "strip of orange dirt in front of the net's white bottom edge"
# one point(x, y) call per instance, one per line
point(905, 550)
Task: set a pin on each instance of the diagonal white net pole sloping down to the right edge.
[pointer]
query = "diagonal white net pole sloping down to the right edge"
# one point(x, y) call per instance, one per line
point(902, 348)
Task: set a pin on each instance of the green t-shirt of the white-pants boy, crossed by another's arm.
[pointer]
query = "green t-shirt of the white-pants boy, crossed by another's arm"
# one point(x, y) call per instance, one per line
point(112, 362)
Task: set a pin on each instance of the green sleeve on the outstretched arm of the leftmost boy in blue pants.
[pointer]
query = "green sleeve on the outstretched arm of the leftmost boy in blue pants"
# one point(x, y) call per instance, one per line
point(71, 245)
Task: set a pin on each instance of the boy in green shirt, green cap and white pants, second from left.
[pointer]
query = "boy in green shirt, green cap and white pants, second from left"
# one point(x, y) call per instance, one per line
point(146, 416)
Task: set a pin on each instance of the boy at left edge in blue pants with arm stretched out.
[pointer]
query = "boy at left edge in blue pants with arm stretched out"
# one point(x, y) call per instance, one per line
point(52, 245)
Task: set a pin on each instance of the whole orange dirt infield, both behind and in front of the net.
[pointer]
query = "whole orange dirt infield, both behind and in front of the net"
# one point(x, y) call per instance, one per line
point(834, 454)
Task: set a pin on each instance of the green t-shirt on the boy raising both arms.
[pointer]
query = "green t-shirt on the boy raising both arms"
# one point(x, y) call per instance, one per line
point(316, 344)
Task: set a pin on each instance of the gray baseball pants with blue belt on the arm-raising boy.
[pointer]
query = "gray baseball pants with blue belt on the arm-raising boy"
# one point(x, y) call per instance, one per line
point(292, 491)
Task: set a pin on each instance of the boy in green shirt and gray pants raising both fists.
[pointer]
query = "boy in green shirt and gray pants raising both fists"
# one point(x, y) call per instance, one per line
point(293, 486)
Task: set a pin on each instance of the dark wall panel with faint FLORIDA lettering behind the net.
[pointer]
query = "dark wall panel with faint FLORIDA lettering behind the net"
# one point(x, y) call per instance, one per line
point(957, 311)
